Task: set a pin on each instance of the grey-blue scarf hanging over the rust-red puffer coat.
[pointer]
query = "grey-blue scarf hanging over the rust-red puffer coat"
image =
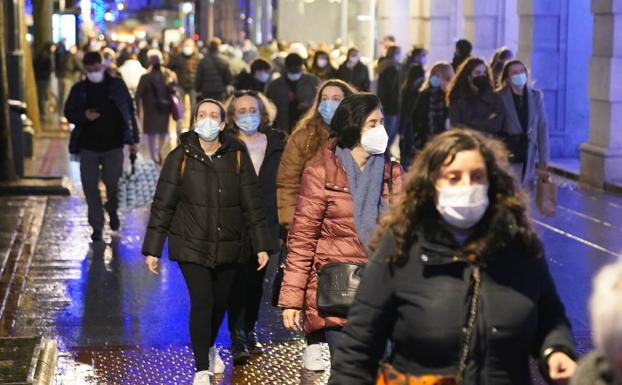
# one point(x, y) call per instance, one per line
point(366, 189)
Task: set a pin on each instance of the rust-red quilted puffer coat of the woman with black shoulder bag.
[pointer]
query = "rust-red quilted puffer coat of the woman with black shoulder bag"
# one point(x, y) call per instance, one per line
point(323, 231)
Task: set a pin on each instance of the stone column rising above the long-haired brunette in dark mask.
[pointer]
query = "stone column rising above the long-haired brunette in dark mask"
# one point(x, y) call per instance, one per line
point(484, 26)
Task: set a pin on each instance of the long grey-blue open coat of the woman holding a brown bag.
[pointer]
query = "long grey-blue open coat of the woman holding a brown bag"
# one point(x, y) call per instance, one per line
point(537, 133)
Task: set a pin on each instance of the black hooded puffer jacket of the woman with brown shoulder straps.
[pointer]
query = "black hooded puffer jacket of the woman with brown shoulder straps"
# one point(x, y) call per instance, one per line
point(205, 206)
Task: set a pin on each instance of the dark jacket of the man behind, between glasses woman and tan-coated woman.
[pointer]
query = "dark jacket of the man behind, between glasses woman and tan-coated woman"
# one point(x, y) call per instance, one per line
point(278, 91)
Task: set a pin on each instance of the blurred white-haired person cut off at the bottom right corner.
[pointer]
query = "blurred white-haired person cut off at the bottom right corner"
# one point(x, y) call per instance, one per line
point(602, 366)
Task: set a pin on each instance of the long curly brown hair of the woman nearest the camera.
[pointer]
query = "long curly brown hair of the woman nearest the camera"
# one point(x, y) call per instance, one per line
point(415, 209)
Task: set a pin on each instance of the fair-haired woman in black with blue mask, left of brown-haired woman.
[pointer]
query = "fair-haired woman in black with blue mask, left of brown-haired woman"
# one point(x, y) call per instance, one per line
point(430, 115)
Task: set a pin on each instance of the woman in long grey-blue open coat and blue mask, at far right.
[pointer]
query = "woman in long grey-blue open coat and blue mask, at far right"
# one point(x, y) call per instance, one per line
point(525, 129)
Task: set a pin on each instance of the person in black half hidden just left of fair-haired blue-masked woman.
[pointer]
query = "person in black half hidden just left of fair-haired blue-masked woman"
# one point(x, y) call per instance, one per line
point(409, 92)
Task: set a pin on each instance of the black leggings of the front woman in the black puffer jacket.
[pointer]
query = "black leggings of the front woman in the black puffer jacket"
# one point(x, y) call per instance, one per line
point(209, 291)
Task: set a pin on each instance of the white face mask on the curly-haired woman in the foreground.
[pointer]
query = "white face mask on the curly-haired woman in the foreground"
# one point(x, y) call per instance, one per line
point(463, 206)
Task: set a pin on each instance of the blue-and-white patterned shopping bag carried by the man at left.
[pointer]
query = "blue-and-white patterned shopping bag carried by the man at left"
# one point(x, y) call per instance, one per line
point(137, 185)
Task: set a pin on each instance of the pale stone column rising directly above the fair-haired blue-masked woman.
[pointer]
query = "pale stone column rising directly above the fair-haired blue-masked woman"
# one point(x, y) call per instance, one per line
point(435, 25)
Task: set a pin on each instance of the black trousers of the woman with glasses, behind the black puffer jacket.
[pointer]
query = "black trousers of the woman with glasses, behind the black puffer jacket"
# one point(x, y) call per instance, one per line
point(245, 299)
